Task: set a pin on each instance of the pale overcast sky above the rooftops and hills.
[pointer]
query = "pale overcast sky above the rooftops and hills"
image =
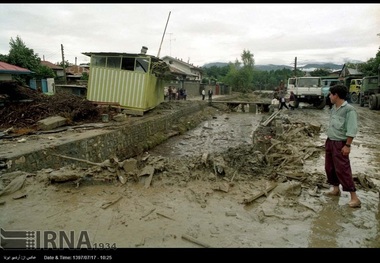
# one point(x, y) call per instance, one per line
point(197, 33)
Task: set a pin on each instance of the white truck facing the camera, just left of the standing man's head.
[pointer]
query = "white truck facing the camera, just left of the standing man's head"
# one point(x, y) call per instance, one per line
point(307, 90)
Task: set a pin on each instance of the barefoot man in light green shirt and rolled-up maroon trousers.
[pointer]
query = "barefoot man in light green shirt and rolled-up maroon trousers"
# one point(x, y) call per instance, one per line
point(341, 131)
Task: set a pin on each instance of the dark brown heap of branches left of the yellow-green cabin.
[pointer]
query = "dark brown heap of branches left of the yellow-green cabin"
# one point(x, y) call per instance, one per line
point(22, 107)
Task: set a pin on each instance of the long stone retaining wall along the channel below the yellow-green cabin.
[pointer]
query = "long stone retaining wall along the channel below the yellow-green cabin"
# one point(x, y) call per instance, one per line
point(98, 147)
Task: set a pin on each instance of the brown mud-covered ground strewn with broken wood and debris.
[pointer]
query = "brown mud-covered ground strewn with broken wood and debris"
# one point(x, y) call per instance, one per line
point(212, 187)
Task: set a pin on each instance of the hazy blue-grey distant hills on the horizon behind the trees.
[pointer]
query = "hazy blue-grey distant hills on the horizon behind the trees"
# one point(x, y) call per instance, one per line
point(269, 67)
